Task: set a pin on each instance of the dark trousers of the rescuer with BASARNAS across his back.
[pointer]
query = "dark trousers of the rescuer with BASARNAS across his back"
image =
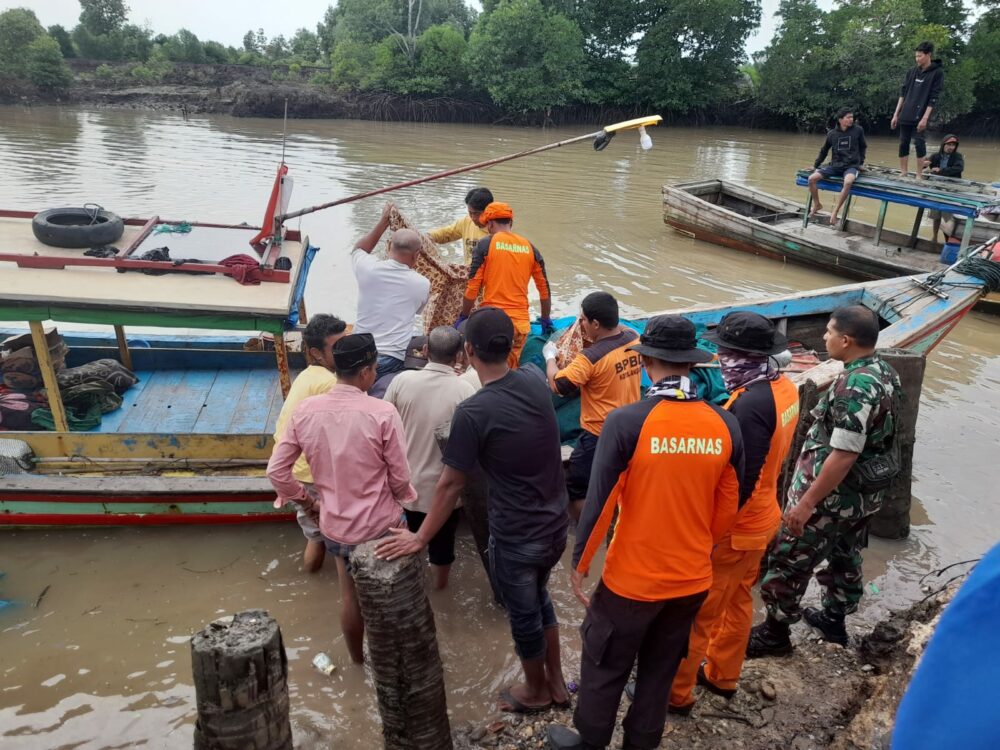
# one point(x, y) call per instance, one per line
point(616, 632)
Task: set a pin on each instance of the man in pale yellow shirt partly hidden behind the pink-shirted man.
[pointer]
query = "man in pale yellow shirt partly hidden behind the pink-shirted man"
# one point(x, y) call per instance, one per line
point(322, 332)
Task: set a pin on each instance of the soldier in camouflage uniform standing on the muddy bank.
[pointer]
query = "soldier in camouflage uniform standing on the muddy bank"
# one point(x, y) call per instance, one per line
point(832, 496)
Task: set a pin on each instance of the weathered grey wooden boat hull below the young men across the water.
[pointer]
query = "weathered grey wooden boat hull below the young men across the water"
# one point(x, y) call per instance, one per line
point(743, 218)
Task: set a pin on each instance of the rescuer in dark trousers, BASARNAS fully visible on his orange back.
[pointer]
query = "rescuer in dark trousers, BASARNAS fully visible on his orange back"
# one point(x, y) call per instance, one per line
point(671, 464)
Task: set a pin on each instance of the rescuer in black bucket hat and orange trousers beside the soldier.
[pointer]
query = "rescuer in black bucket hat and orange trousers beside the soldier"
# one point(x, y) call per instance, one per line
point(766, 404)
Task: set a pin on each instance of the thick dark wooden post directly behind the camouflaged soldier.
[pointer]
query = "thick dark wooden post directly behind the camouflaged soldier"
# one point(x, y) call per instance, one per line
point(893, 520)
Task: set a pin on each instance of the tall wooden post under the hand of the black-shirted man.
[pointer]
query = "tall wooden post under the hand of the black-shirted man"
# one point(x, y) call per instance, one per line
point(403, 650)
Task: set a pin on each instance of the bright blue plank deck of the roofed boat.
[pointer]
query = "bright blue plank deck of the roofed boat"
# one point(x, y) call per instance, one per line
point(212, 401)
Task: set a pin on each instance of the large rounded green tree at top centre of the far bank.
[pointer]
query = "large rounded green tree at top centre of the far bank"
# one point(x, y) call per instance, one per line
point(527, 57)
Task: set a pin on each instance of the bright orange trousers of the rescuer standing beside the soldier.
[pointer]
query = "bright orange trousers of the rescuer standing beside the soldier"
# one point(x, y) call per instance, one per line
point(722, 628)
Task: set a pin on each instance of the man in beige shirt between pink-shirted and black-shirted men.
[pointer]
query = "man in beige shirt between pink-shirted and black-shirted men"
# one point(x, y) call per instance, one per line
point(426, 399)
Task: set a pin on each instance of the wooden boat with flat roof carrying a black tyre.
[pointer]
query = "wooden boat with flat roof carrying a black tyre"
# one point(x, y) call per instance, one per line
point(191, 440)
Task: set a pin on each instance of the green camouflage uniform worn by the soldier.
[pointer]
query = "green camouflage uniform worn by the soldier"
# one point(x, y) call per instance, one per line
point(856, 414)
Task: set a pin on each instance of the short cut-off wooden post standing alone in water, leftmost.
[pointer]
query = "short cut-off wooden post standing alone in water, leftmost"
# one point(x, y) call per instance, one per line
point(241, 685)
